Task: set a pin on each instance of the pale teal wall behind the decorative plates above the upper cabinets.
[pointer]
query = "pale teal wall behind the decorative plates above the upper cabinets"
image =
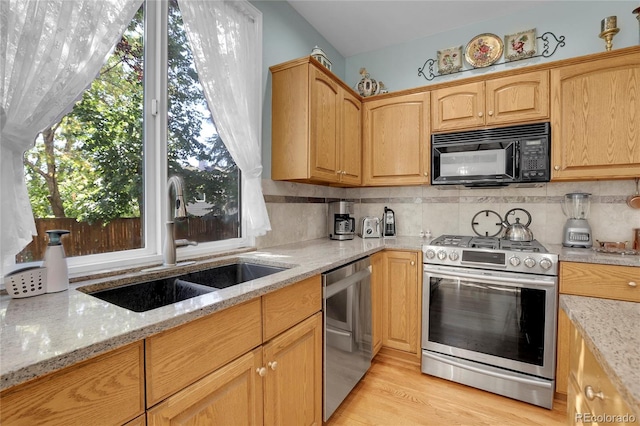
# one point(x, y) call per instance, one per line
point(579, 21)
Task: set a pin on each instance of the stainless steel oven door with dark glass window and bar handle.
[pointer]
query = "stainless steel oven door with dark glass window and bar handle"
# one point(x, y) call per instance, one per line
point(503, 319)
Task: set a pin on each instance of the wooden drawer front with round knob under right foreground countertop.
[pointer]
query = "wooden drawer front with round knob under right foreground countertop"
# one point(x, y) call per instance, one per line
point(587, 373)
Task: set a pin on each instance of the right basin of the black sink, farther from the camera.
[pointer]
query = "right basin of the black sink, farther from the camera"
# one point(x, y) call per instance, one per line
point(230, 275)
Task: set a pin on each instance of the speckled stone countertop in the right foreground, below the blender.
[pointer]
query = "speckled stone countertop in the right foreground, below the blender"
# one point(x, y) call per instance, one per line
point(611, 331)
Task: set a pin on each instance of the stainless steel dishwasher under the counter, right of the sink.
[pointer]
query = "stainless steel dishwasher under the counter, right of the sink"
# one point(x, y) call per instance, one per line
point(347, 330)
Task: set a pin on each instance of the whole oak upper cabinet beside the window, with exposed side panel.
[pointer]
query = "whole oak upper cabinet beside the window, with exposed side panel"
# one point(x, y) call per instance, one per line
point(316, 126)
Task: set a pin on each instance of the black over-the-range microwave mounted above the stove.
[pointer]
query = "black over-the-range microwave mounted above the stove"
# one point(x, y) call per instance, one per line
point(492, 157)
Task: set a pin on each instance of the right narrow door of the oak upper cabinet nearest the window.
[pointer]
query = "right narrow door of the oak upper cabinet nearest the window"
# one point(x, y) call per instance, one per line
point(350, 139)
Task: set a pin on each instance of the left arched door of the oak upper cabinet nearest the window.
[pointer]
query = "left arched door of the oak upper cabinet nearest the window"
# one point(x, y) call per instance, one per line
point(324, 148)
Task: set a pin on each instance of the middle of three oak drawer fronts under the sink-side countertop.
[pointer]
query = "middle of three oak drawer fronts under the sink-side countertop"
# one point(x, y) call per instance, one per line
point(180, 356)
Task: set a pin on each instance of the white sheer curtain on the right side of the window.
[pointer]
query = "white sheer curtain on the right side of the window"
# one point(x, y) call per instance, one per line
point(226, 41)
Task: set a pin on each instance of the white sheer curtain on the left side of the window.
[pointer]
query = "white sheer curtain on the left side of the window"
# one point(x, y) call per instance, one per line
point(50, 51)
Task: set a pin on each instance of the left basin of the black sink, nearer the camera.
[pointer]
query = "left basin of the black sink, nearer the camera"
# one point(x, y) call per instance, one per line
point(143, 297)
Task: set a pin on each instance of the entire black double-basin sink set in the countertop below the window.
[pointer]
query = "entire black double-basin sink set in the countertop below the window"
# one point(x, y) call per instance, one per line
point(142, 297)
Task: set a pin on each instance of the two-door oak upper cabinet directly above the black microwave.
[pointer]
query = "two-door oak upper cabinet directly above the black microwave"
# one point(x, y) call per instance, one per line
point(507, 100)
